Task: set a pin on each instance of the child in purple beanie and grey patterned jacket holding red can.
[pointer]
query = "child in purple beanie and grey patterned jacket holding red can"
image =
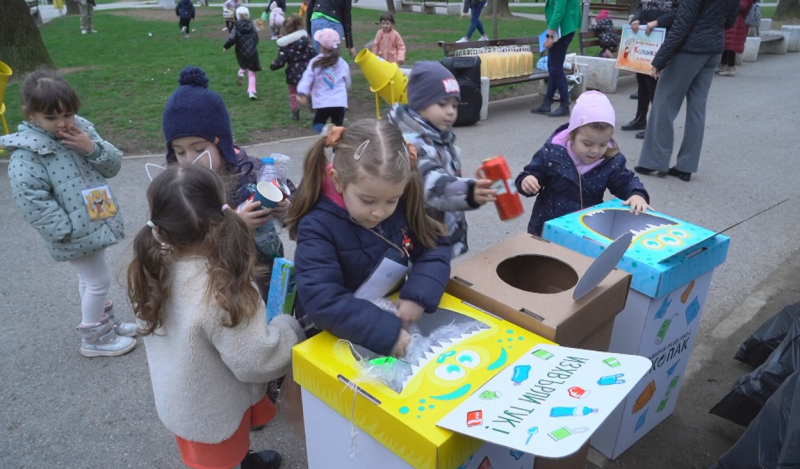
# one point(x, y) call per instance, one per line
point(427, 123)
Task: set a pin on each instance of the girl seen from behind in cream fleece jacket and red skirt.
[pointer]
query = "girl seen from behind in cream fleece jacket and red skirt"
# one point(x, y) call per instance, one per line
point(209, 348)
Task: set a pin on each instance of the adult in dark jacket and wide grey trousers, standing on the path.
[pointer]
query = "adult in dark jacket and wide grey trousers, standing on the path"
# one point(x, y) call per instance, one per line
point(685, 67)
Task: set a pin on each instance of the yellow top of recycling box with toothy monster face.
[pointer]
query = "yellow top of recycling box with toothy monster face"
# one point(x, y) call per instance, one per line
point(404, 420)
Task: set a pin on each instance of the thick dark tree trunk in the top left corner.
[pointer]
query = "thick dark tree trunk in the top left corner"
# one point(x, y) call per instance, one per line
point(22, 47)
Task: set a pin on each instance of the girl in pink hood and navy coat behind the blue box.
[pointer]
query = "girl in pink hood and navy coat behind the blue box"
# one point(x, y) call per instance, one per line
point(577, 164)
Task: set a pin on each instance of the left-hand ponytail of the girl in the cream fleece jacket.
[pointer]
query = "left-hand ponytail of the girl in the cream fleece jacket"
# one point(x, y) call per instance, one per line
point(148, 279)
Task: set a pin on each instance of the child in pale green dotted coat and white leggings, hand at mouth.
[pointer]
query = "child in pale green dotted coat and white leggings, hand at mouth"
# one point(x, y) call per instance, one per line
point(58, 170)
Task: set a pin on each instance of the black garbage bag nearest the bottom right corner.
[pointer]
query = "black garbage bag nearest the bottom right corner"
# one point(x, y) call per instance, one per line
point(773, 439)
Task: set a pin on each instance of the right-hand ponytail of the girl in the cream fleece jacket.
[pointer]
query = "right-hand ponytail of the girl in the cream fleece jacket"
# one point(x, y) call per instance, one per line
point(231, 262)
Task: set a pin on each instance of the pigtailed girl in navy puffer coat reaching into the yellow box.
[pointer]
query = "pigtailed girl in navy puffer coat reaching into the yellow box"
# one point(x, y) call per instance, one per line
point(347, 217)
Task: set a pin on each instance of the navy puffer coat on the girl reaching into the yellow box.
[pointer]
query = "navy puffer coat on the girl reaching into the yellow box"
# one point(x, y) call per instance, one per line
point(334, 256)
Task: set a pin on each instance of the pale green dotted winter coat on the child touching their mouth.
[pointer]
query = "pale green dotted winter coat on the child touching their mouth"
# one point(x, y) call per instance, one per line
point(47, 180)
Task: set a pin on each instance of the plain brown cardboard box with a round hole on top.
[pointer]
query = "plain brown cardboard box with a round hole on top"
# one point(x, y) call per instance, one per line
point(530, 282)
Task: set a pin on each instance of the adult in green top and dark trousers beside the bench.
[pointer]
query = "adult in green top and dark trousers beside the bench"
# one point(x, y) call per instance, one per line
point(564, 18)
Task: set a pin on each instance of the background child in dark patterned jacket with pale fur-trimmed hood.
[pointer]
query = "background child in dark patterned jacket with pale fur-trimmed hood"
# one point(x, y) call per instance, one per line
point(295, 51)
